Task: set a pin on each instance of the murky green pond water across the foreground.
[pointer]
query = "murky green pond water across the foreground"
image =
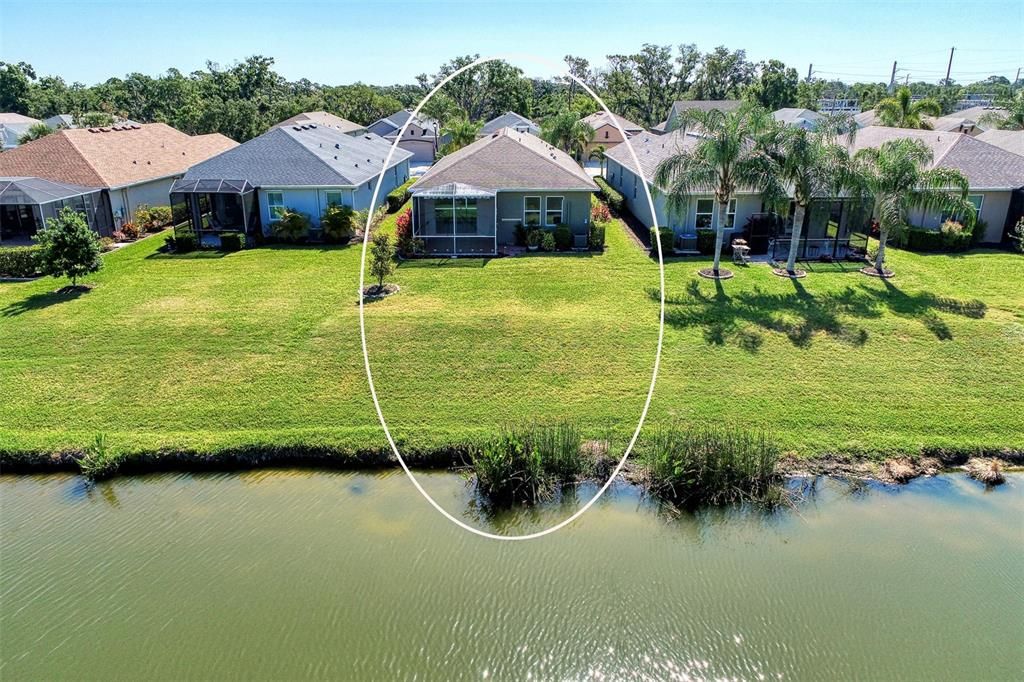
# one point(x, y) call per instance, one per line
point(352, 576)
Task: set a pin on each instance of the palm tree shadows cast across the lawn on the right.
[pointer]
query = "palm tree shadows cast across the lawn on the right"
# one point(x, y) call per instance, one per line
point(745, 318)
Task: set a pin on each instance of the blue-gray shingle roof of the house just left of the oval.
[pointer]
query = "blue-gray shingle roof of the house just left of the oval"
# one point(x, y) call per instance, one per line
point(301, 156)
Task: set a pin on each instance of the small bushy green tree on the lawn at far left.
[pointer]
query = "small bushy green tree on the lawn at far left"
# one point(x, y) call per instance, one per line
point(69, 247)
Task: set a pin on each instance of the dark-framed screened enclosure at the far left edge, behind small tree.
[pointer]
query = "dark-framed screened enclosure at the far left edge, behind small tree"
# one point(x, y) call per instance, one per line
point(26, 204)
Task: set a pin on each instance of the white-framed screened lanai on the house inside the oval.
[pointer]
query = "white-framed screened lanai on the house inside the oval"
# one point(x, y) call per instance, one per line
point(456, 220)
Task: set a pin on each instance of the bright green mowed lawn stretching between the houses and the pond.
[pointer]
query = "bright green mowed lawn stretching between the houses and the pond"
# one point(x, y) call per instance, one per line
point(210, 352)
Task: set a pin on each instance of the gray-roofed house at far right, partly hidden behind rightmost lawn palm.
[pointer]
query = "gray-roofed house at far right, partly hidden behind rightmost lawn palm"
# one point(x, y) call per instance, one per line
point(996, 176)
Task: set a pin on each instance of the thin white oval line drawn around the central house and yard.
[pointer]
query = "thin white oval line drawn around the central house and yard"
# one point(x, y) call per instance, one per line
point(363, 326)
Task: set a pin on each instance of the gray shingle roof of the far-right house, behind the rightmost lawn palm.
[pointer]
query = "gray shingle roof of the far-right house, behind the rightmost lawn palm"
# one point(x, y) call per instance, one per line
point(987, 166)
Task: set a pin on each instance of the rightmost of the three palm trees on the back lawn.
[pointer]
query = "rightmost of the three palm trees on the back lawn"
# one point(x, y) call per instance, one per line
point(894, 176)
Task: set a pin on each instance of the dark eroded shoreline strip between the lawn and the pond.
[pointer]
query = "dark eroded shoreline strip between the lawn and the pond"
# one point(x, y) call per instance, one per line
point(891, 470)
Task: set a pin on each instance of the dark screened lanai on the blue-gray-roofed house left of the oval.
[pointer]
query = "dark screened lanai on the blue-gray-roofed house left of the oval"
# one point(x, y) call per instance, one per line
point(211, 207)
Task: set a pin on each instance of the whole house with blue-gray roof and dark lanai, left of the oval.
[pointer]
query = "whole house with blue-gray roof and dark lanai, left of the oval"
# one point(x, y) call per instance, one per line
point(306, 168)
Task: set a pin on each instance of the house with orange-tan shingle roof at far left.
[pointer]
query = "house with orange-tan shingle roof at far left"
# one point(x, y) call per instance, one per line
point(135, 164)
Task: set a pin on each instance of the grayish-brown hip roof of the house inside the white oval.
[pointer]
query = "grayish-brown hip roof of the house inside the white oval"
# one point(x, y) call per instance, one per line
point(508, 160)
